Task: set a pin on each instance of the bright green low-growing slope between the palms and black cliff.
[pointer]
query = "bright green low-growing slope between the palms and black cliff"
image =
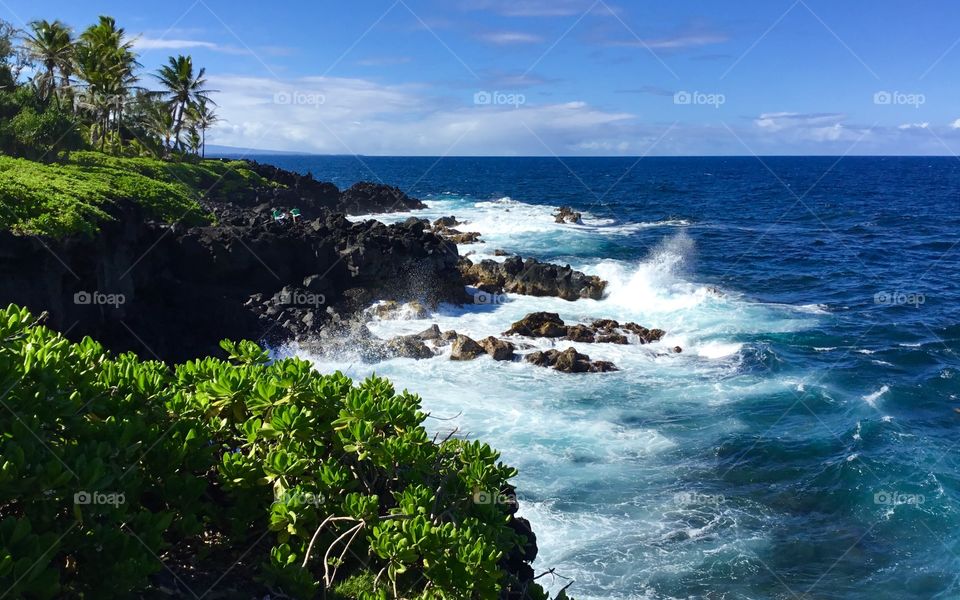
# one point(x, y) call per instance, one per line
point(75, 196)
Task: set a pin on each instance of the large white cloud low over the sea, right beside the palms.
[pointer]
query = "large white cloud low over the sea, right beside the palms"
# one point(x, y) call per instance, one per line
point(356, 116)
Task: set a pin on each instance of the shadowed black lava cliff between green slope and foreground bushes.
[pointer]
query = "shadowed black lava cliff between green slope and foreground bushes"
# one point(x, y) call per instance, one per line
point(173, 293)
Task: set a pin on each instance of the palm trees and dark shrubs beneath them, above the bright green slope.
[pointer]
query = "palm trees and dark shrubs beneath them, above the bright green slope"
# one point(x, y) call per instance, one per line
point(85, 93)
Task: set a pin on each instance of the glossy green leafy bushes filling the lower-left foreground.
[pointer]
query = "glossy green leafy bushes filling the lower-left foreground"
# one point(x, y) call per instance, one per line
point(110, 464)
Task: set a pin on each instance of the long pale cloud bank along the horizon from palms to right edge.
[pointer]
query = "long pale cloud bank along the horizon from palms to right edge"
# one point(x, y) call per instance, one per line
point(340, 115)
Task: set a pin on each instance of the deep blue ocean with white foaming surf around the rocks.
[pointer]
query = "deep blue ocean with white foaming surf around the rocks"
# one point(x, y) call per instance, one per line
point(803, 445)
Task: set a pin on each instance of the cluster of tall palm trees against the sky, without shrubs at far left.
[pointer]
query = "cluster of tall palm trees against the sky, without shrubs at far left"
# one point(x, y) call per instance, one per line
point(94, 76)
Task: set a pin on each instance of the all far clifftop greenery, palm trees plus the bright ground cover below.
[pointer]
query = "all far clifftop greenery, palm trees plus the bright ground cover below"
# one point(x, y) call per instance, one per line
point(84, 97)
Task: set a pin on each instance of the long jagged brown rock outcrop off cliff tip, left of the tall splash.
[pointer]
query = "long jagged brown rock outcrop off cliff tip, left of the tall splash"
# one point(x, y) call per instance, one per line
point(532, 278)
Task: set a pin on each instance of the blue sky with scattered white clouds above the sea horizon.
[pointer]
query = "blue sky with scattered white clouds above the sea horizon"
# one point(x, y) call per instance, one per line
point(561, 77)
